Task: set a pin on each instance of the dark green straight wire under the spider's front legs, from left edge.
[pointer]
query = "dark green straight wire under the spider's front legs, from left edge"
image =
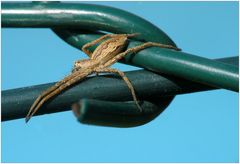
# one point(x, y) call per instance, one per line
point(17, 102)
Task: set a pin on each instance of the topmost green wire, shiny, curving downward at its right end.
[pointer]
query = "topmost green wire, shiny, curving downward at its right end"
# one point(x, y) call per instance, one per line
point(80, 16)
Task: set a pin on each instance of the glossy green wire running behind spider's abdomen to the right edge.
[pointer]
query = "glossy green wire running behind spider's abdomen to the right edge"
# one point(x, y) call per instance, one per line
point(179, 64)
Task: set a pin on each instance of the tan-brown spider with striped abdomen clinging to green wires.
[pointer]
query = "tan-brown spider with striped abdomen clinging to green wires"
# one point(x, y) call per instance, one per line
point(105, 55)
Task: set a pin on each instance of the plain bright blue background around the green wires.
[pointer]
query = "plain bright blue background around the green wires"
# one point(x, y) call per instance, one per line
point(198, 127)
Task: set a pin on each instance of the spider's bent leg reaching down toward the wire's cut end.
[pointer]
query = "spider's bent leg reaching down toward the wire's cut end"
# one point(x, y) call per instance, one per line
point(123, 76)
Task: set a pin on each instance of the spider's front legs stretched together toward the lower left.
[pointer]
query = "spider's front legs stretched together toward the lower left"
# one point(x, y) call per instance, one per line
point(63, 84)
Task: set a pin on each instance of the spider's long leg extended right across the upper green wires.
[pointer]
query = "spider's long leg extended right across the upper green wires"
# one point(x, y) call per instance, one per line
point(137, 49)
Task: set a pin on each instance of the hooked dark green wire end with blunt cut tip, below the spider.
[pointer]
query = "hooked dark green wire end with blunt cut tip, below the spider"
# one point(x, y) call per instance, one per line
point(119, 114)
